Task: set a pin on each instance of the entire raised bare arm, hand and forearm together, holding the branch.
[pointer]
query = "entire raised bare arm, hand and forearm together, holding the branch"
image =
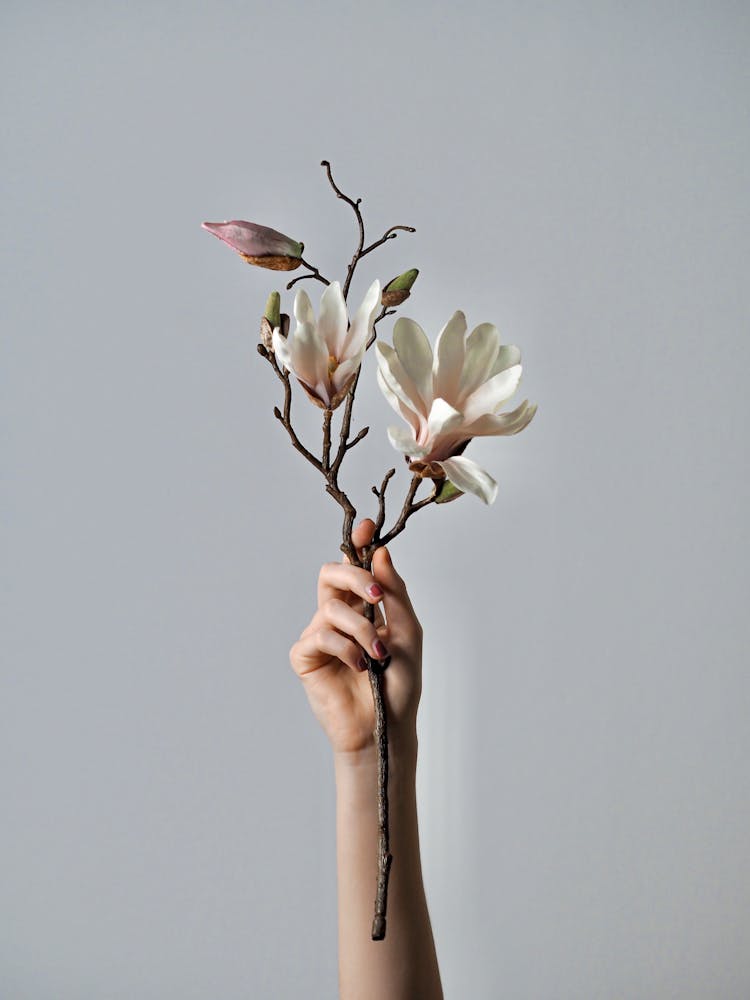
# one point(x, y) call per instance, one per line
point(328, 660)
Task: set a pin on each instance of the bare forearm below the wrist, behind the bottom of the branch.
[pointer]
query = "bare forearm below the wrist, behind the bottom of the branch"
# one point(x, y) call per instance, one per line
point(404, 965)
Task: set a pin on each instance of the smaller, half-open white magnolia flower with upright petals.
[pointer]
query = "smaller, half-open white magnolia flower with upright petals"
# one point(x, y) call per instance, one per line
point(325, 354)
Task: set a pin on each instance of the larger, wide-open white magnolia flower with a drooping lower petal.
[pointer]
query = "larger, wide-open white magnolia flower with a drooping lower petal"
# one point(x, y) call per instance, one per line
point(451, 397)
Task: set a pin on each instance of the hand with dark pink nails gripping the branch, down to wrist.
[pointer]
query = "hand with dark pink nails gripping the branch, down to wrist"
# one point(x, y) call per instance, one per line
point(328, 658)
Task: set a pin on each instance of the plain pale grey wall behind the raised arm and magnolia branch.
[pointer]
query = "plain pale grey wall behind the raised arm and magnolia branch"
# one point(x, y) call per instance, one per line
point(577, 174)
